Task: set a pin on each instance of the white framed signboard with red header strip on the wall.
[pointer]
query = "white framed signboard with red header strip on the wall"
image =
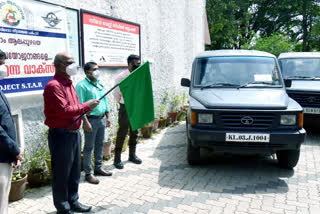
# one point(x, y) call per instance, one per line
point(108, 41)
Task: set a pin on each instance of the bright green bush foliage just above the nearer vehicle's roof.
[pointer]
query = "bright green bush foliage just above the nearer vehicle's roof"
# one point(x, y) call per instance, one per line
point(275, 44)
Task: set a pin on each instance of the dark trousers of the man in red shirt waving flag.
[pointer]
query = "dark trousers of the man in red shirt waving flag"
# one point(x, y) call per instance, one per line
point(65, 162)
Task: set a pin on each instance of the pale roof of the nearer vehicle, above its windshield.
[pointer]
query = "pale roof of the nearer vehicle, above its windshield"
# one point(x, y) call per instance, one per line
point(216, 53)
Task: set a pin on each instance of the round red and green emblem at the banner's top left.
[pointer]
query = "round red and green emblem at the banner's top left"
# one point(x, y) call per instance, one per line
point(11, 13)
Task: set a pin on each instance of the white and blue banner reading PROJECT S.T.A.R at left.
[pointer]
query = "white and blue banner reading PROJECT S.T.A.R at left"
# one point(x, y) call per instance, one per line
point(31, 34)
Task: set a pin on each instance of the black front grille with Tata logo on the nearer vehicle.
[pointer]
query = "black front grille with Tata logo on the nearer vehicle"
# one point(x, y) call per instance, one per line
point(260, 121)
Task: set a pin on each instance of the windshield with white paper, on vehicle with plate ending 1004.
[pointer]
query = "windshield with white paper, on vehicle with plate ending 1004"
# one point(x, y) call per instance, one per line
point(235, 71)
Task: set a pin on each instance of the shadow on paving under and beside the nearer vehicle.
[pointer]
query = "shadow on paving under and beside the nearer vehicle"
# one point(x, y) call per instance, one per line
point(218, 173)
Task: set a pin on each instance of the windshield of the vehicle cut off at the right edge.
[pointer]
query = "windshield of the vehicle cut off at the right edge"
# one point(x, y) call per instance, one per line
point(303, 68)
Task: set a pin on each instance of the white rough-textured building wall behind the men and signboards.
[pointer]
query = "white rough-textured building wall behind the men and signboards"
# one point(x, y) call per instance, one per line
point(172, 34)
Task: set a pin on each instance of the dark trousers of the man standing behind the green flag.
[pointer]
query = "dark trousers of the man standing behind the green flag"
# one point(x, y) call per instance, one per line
point(124, 126)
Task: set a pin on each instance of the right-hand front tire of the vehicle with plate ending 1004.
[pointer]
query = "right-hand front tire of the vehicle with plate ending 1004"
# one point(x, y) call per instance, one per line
point(288, 158)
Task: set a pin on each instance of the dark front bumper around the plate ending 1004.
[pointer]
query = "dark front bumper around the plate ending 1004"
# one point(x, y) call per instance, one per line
point(215, 139)
